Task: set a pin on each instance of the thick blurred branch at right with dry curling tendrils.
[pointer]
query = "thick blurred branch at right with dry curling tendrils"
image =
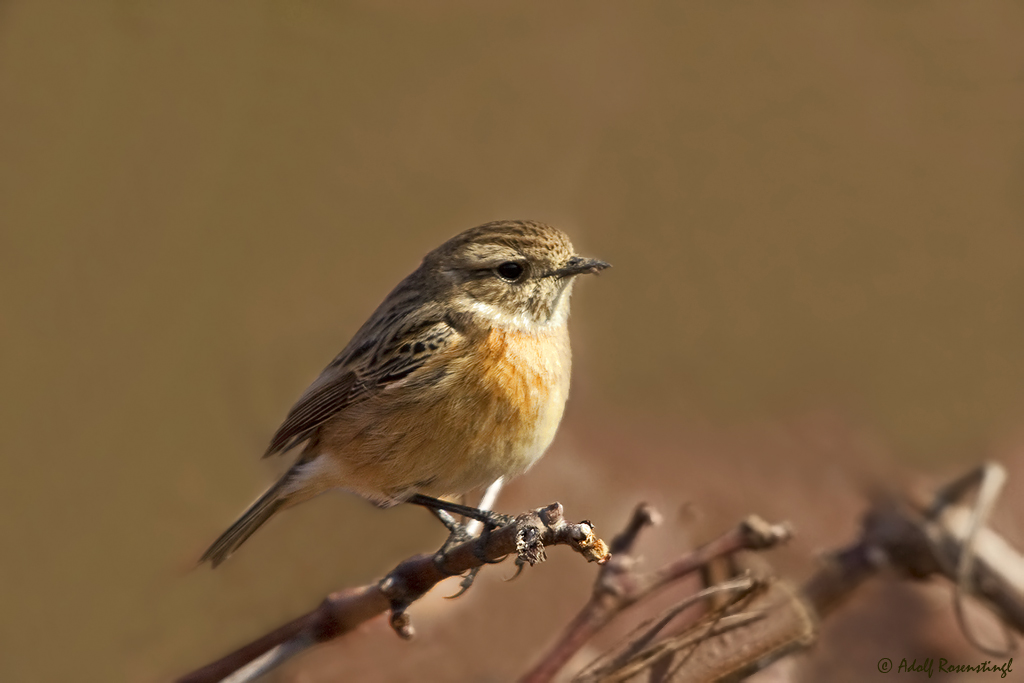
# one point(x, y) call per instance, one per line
point(943, 537)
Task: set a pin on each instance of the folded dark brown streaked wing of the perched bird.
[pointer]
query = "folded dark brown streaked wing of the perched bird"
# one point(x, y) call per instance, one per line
point(365, 370)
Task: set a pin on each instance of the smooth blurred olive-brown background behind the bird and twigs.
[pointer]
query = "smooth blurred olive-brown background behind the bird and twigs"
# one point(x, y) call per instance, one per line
point(815, 210)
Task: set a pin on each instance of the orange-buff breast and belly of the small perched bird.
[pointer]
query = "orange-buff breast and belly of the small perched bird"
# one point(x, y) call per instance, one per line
point(493, 412)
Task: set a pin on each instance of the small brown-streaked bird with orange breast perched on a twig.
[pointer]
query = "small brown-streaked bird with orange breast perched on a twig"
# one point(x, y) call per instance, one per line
point(459, 378)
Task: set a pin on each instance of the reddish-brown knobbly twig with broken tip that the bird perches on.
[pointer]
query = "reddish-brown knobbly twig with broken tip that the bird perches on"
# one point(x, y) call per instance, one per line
point(345, 611)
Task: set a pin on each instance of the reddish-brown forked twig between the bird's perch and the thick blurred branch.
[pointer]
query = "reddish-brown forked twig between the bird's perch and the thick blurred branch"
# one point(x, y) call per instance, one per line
point(619, 586)
